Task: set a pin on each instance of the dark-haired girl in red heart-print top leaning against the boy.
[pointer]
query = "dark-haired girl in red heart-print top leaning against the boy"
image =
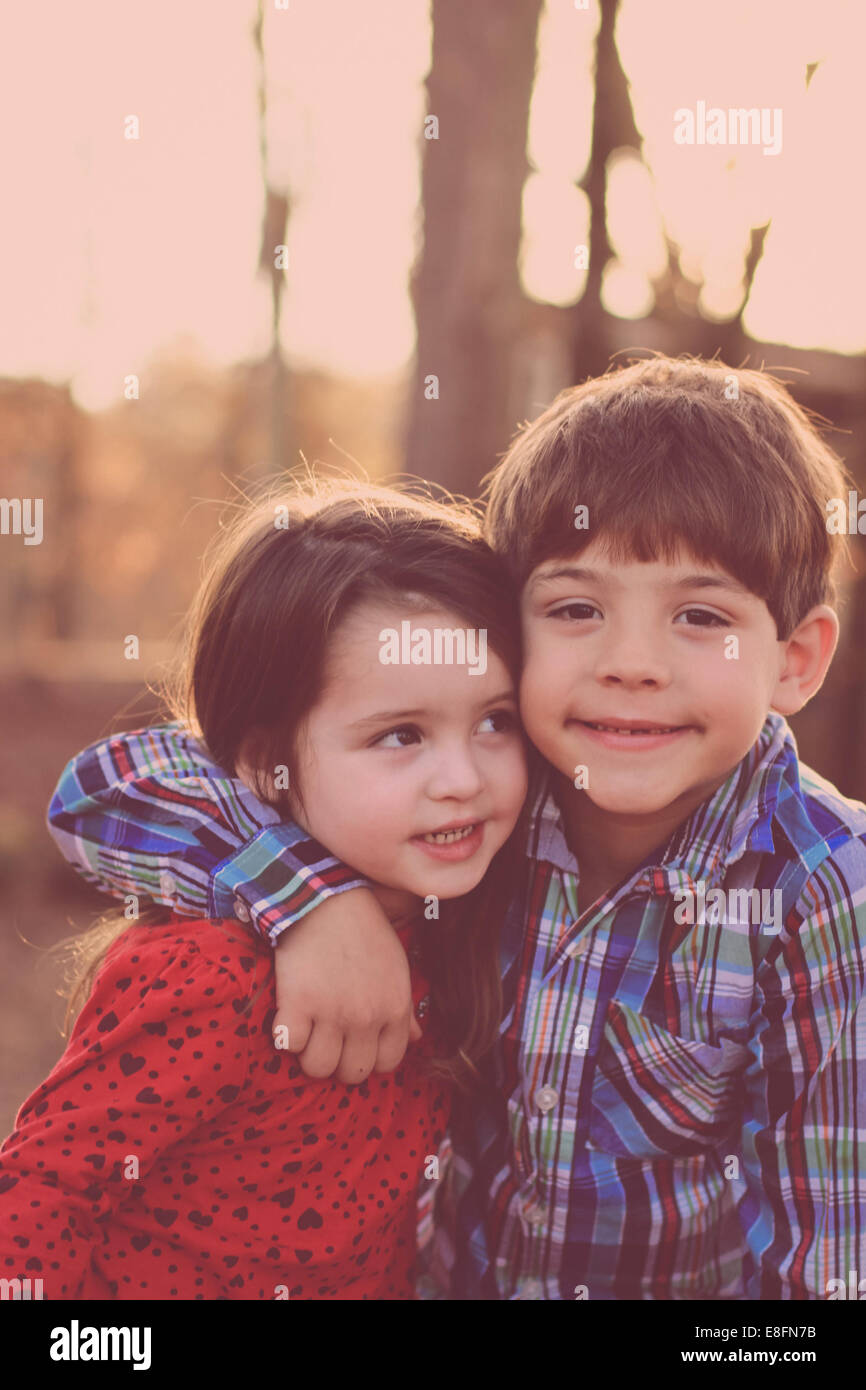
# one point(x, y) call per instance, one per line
point(173, 1153)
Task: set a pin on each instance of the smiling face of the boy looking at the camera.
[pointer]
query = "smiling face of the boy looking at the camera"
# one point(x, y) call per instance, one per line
point(682, 648)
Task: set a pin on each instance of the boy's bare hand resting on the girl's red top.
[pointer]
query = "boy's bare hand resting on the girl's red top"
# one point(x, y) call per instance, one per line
point(344, 992)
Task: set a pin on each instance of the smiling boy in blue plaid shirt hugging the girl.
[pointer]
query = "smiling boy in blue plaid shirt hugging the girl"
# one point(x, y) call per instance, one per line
point(679, 1096)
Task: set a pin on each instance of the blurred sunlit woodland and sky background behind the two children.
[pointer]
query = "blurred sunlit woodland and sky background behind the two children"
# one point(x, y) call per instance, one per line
point(156, 358)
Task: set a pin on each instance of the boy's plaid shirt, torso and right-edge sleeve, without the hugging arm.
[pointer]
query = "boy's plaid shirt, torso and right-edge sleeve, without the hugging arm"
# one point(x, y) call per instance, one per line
point(678, 1110)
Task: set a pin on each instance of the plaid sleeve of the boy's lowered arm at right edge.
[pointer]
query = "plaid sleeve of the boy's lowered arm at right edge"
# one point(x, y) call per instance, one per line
point(804, 1213)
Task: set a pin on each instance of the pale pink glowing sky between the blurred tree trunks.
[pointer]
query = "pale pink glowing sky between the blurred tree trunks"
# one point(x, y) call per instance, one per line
point(113, 250)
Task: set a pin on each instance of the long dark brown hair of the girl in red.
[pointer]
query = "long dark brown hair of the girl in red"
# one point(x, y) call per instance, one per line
point(280, 580)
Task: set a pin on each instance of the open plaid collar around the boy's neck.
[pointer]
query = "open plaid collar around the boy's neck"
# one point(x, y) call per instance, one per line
point(736, 819)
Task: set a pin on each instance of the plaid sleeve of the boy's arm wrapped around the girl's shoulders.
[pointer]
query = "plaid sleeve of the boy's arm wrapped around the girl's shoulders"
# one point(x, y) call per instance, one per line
point(149, 814)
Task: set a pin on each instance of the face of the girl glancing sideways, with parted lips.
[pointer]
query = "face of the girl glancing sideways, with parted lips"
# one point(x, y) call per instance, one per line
point(394, 754)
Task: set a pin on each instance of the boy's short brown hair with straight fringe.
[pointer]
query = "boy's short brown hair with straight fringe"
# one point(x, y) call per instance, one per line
point(662, 457)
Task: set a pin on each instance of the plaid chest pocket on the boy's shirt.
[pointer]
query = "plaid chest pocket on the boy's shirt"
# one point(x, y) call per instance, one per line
point(661, 1096)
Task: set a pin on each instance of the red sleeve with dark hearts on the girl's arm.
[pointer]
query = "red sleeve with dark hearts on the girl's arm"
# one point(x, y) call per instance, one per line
point(116, 1081)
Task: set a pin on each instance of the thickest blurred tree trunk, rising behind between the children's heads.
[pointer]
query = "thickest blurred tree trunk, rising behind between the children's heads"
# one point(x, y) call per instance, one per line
point(466, 288)
